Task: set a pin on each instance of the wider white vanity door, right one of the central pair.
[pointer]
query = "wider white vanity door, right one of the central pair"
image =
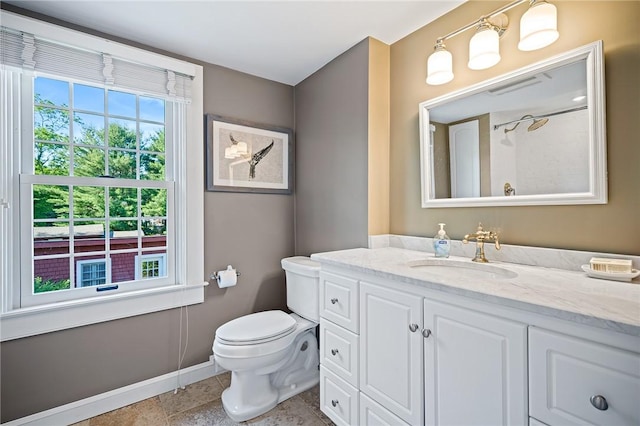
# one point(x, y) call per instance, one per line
point(475, 368)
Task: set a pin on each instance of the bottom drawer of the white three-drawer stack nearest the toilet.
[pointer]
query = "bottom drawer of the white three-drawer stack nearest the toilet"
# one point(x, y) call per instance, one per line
point(338, 399)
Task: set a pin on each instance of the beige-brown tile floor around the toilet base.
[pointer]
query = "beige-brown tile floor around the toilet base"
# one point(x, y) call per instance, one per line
point(199, 404)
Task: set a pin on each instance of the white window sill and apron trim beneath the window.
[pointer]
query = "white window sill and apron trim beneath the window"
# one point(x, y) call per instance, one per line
point(36, 320)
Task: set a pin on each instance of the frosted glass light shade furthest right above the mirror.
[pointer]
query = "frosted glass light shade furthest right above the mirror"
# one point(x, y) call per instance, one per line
point(538, 26)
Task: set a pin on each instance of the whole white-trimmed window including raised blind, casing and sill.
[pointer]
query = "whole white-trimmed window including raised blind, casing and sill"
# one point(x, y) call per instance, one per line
point(101, 154)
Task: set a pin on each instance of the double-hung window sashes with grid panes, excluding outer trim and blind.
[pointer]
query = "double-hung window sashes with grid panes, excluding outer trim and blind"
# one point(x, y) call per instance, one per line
point(101, 185)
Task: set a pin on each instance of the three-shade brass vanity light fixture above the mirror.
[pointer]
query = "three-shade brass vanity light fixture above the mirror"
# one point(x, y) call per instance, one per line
point(538, 29)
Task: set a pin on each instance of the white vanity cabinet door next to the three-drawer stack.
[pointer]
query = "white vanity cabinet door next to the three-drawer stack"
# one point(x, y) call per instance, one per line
point(391, 350)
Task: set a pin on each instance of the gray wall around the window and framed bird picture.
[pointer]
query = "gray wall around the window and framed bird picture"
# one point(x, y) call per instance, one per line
point(251, 231)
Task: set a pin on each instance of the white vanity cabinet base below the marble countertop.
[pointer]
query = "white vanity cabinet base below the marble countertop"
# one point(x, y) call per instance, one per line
point(393, 353)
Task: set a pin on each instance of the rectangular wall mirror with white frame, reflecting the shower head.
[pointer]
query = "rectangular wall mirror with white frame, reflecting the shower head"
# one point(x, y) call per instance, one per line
point(533, 136)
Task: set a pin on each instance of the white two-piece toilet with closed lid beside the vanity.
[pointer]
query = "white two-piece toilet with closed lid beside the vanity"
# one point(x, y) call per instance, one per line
point(272, 355)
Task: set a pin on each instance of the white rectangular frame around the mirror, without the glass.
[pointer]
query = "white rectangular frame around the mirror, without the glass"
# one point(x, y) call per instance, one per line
point(597, 193)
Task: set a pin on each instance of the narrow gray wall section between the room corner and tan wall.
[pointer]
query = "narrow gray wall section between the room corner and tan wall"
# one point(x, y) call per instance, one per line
point(331, 159)
